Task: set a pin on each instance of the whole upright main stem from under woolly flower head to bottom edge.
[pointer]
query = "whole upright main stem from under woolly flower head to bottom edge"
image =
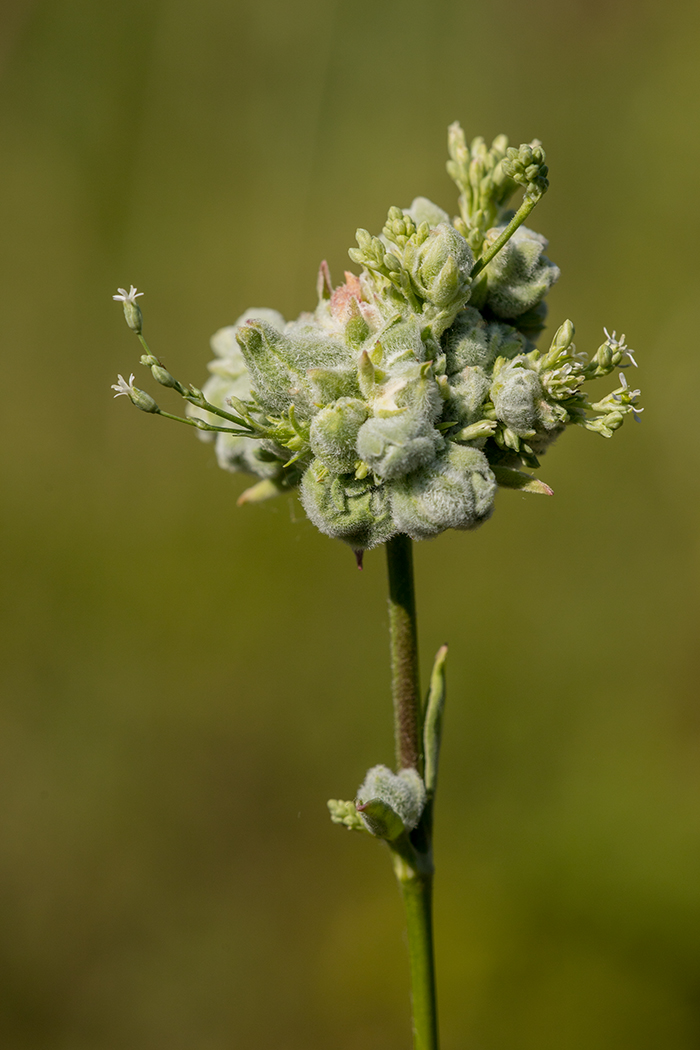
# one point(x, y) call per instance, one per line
point(413, 866)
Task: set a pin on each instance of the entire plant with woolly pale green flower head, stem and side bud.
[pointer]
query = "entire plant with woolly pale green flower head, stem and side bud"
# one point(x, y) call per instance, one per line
point(397, 409)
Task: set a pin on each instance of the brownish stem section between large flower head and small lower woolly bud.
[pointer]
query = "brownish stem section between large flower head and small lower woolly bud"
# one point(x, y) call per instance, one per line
point(404, 637)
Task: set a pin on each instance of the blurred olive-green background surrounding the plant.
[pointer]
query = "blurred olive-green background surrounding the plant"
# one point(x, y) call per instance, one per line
point(185, 684)
